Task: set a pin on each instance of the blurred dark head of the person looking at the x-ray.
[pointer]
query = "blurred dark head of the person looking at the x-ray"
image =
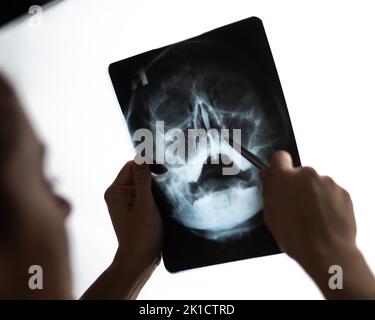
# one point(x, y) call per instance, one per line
point(32, 216)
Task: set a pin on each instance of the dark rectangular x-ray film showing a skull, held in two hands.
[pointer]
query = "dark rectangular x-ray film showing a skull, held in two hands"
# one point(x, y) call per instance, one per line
point(221, 82)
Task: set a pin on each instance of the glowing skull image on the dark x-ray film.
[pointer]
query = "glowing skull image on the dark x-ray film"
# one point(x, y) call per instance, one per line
point(204, 85)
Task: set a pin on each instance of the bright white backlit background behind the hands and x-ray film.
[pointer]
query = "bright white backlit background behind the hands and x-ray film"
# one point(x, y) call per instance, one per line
point(324, 52)
